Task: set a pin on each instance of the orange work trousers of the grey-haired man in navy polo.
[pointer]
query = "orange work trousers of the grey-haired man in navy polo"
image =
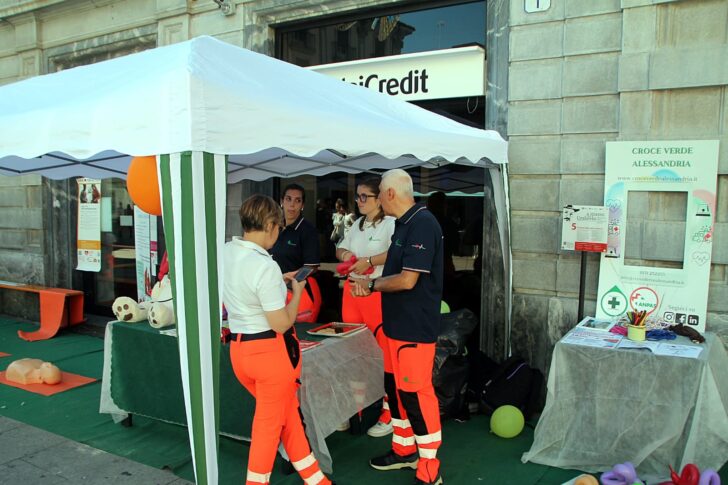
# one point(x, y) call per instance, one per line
point(416, 421)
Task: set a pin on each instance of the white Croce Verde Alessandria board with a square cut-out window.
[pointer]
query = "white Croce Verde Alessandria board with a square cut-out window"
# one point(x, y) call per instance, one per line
point(675, 295)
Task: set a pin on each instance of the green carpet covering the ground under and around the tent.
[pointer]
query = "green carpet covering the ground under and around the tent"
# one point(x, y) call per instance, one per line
point(470, 454)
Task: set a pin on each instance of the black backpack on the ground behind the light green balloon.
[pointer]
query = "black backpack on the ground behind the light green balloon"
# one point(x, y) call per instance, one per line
point(514, 383)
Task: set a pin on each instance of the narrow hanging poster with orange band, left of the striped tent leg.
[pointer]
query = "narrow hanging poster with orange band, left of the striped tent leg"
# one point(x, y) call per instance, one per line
point(88, 244)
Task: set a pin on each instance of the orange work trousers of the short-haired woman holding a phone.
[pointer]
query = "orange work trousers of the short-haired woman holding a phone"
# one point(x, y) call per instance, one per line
point(268, 365)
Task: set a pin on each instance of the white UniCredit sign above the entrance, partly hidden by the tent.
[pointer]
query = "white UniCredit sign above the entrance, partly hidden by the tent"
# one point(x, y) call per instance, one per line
point(448, 73)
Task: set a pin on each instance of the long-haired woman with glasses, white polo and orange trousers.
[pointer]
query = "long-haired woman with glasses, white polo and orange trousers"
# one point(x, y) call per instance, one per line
point(368, 241)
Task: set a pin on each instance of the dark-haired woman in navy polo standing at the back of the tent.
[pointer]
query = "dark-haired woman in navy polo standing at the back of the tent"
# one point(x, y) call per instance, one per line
point(297, 246)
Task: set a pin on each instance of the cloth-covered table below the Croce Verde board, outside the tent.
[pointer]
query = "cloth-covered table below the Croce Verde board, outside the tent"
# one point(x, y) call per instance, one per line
point(608, 406)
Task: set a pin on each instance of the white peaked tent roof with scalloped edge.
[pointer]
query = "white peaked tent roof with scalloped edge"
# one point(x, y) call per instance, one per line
point(272, 118)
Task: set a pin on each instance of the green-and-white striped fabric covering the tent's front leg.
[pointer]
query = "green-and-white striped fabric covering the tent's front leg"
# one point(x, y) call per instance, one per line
point(193, 189)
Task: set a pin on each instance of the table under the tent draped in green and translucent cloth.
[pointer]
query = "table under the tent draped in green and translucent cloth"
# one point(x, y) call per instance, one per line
point(142, 376)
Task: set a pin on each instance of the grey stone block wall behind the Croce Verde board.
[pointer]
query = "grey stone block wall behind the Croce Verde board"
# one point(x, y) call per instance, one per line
point(584, 73)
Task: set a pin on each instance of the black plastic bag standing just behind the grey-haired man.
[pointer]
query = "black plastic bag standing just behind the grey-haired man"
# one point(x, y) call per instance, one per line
point(450, 372)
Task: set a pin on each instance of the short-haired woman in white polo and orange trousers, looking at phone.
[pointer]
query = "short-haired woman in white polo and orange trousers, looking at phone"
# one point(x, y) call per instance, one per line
point(264, 350)
